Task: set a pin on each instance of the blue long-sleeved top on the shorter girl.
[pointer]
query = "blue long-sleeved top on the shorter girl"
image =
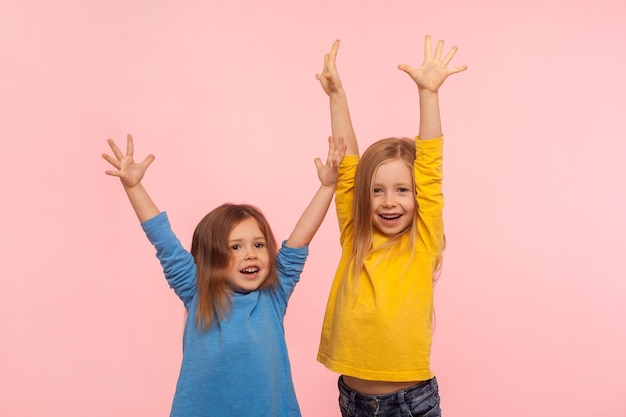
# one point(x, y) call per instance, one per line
point(240, 367)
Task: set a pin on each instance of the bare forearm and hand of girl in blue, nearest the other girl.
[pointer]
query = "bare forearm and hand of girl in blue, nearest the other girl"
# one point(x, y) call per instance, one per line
point(314, 214)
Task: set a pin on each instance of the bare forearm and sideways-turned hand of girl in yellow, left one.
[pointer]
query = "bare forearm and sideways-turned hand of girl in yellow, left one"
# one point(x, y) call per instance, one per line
point(341, 124)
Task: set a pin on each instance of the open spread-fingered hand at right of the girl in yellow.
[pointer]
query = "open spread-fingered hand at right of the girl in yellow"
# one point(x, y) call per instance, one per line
point(434, 70)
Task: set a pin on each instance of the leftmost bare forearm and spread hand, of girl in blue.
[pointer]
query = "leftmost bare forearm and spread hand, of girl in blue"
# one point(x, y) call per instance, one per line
point(130, 174)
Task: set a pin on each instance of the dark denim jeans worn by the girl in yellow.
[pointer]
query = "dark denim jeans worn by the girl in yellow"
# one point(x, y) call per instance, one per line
point(421, 400)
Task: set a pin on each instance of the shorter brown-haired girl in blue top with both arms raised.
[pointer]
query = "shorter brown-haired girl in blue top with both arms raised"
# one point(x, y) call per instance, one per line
point(235, 284)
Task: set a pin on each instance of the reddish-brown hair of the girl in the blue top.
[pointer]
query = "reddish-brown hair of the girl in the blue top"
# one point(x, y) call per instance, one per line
point(209, 248)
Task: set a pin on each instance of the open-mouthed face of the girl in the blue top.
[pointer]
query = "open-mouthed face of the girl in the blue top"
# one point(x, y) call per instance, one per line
point(249, 260)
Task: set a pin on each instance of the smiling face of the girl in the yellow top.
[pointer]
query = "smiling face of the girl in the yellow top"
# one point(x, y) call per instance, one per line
point(393, 198)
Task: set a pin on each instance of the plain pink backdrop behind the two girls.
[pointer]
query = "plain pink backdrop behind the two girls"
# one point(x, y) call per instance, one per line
point(532, 300)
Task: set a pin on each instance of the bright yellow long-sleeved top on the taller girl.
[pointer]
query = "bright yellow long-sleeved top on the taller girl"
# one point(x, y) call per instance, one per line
point(379, 326)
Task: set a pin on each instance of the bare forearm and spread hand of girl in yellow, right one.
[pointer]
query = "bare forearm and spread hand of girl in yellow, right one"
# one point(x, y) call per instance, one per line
point(429, 78)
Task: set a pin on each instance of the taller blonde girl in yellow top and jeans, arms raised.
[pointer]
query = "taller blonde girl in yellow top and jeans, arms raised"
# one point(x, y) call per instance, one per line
point(377, 329)
